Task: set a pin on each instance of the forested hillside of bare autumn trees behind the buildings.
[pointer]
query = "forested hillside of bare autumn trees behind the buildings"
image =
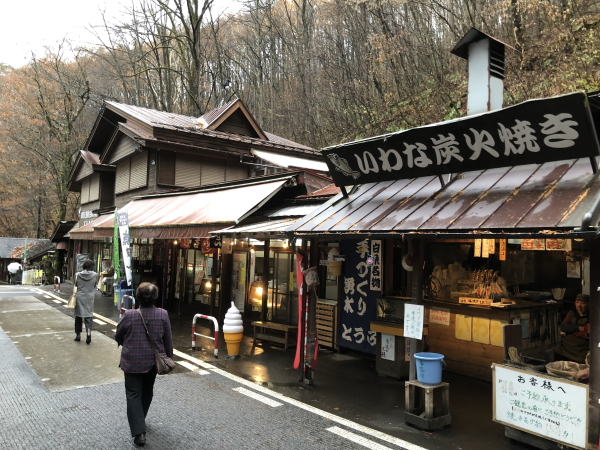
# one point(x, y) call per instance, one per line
point(314, 71)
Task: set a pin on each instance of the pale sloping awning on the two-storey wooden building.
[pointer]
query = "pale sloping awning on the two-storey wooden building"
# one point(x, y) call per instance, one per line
point(190, 214)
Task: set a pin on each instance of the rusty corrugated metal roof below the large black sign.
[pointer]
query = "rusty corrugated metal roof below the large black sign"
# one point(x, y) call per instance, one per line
point(553, 195)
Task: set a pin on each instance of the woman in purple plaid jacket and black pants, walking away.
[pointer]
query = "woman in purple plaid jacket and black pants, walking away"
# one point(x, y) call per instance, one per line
point(137, 355)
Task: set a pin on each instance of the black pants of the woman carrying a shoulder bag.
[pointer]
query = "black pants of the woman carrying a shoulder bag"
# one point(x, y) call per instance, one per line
point(139, 389)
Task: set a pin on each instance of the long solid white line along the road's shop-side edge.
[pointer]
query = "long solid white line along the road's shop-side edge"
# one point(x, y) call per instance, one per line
point(340, 420)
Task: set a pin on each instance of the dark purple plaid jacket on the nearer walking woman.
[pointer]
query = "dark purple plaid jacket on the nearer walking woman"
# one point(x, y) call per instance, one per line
point(137, 355)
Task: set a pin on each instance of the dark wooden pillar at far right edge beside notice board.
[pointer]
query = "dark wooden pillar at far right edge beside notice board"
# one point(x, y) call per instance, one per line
point(594, 392)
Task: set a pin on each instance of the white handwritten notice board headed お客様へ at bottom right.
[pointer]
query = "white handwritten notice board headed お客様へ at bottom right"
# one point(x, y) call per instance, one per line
point(553, 408)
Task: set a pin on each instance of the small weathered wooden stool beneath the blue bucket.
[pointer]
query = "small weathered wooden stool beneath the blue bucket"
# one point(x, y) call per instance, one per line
point(420, 410)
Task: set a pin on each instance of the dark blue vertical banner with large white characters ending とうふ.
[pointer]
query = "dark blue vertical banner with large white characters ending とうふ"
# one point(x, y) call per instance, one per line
point(359, 301)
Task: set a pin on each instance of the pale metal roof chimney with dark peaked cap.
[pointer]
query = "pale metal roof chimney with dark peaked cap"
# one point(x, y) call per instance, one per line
point(485, 57)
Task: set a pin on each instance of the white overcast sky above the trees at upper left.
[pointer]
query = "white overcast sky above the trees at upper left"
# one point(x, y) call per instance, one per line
point(30, 25)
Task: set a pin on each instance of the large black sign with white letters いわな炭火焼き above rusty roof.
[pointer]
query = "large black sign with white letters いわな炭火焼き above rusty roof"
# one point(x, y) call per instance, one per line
point(532, 132)
